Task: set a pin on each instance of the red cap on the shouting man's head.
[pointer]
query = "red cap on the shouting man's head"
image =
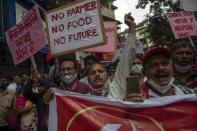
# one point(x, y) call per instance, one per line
point(155, 50)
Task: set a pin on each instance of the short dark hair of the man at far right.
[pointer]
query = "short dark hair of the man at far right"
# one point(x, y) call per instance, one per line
point(180, 44)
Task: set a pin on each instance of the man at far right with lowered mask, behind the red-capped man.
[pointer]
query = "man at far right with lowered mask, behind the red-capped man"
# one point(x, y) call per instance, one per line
point(182, 55)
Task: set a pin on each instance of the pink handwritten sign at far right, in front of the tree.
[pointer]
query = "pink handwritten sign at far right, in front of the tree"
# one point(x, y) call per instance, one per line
point(183, 24)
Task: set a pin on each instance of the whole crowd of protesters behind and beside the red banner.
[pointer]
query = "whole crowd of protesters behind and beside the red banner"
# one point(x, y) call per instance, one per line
point(161, 71)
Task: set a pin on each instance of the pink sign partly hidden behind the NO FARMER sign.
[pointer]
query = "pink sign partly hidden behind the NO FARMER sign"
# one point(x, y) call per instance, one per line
point(111, 37)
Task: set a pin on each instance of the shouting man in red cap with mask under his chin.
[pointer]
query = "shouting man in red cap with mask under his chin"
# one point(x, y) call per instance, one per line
point(157, 67)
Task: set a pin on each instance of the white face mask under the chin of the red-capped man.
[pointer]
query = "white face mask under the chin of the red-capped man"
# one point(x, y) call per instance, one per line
point(161, 89)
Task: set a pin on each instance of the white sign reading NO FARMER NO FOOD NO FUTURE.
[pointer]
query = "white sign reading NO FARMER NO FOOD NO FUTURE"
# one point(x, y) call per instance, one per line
point(75, 27)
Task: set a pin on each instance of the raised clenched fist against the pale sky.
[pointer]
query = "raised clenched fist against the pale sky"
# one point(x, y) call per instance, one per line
point(129, 20)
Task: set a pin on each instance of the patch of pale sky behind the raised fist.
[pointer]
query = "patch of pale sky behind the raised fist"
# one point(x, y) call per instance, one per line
point(126, 6)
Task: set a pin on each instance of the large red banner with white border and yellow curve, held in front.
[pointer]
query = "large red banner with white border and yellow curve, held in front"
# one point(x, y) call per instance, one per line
point(77, 112)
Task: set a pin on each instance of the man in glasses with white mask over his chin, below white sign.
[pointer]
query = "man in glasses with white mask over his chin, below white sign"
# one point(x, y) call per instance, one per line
point(69, 82)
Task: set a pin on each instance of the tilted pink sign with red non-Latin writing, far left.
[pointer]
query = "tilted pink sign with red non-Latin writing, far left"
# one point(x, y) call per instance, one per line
point(27, 37)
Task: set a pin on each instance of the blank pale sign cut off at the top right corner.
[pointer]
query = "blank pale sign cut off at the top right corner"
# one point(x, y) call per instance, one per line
point(188, 5)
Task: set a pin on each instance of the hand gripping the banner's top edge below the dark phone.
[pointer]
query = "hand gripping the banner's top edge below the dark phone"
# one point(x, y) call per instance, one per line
point(133, 97)
